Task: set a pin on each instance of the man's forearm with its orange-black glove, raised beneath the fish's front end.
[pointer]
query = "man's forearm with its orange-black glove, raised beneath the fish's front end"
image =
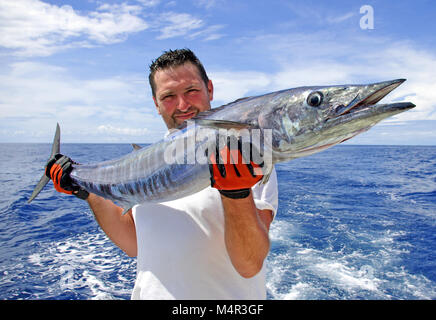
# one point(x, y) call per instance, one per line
point(245, 227)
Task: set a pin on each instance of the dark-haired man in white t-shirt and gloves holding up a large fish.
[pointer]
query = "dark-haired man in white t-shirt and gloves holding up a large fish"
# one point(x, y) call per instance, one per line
point(210, 245)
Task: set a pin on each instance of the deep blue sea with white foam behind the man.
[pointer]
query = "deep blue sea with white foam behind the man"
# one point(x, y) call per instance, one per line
point(354, 222)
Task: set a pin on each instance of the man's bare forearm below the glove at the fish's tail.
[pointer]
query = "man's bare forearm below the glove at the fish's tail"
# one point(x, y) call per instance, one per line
point(119, 228)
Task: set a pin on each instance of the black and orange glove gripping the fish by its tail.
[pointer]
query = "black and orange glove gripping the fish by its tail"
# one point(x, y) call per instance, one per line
point(58, 169)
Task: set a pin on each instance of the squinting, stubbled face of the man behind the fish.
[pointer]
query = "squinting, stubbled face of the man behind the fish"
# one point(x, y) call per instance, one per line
point(181, 94)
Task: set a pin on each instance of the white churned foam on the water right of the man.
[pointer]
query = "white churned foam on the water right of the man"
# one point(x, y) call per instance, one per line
point(298, 271)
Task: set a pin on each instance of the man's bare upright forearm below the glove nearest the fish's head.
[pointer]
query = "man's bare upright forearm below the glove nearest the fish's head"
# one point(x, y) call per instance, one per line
point(246, 234)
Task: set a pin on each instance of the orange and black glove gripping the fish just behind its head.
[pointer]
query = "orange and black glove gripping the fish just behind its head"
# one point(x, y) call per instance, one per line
point(232, 174)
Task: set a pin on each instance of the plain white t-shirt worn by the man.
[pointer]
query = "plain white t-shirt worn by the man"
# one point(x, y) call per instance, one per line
point(181, 249)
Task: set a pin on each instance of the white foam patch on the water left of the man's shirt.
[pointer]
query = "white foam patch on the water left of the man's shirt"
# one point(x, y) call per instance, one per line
point(88, 266)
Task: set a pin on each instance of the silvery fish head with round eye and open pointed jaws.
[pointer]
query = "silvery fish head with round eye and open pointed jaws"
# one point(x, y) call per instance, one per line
point(311, 119)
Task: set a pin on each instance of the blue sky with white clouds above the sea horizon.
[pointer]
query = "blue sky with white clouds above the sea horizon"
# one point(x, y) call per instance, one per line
point(84, 63)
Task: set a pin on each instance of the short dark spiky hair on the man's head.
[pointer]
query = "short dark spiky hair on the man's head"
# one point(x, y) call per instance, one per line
point(175, 58)
